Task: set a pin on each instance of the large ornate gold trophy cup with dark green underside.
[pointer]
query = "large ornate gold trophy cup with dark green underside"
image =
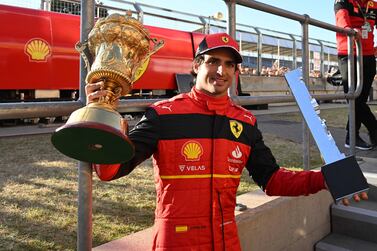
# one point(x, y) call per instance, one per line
point(120, 47)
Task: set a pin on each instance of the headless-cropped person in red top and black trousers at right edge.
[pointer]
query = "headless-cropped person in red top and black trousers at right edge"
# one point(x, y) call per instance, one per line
point(359, 15)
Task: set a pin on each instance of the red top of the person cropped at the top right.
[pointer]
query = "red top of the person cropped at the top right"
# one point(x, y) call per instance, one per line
point(352, 14)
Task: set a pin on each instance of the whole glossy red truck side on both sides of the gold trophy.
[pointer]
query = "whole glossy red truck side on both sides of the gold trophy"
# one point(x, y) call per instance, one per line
point(60, 68)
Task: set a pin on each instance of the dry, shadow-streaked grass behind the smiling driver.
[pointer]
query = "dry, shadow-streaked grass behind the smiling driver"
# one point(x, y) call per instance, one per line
point(38, 199)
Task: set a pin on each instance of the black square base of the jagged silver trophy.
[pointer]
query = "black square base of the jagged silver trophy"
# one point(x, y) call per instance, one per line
point(344, 178)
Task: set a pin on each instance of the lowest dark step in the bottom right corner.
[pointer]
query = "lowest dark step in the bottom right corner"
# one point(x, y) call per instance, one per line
point(338, 242)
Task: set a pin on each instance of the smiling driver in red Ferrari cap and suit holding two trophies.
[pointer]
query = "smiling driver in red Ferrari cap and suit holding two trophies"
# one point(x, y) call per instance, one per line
point(200, 142)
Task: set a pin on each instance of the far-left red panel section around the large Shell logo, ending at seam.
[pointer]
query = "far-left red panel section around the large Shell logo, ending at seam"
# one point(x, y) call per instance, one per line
point(16, 68)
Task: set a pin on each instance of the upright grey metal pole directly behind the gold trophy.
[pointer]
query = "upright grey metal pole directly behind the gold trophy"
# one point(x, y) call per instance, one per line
point(84, 228)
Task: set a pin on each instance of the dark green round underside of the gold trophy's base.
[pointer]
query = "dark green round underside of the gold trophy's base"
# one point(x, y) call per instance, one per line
point(93, 142)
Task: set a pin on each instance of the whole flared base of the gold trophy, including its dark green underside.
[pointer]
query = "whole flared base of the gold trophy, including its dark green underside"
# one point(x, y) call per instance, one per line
point(94, 134)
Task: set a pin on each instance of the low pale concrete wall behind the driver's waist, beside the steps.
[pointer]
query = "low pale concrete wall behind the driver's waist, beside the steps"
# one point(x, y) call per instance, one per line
point(269, 224)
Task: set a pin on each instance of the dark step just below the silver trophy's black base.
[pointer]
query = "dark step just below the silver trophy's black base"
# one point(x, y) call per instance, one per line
point(358, 220)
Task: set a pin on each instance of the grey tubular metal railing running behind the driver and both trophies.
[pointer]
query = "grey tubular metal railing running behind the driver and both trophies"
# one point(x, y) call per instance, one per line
point(25, 110)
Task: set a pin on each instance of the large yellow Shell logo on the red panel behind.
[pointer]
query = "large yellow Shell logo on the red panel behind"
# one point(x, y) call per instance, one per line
point(37, 50)
